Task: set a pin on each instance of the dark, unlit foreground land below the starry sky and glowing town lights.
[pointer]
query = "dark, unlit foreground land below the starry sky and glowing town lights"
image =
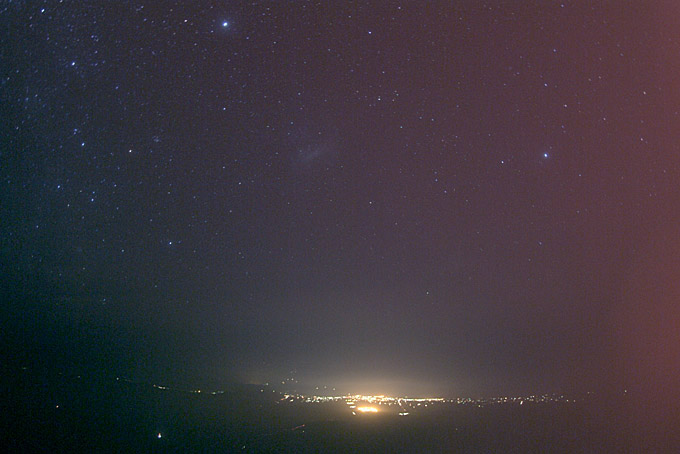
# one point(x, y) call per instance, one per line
point(101, 414)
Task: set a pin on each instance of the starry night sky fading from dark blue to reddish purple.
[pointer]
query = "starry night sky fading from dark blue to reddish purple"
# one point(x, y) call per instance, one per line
point(456, 197)
